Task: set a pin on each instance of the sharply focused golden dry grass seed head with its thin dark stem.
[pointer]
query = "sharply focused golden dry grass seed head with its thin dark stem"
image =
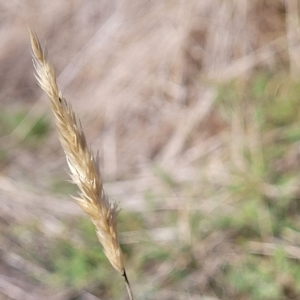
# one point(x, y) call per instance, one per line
point(84, 167)
